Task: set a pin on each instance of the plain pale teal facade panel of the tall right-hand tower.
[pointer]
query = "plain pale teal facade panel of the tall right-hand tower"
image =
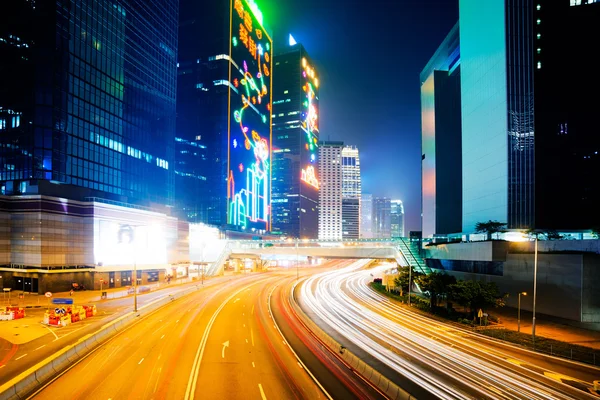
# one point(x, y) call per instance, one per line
point(484, 107)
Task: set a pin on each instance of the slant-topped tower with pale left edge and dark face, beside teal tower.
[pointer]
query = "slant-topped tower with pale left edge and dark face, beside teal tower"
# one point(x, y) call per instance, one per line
point(441, 170)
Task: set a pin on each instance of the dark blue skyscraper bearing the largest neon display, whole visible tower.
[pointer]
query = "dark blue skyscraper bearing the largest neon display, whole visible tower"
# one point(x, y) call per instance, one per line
point(224, 105)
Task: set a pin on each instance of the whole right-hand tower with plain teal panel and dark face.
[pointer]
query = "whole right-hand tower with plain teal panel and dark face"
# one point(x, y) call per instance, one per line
point(529, 136)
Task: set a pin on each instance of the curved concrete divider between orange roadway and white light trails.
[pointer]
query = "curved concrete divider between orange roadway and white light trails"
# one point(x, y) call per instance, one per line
point(388, 388)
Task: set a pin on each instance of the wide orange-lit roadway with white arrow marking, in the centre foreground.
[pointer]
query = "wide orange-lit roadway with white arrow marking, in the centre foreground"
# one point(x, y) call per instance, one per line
point(220, 343)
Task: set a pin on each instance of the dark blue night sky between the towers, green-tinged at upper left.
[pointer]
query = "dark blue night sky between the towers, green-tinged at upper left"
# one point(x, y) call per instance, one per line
point(369, 55)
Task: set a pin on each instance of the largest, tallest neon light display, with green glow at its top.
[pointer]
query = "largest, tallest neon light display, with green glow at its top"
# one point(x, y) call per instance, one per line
point(249, 136)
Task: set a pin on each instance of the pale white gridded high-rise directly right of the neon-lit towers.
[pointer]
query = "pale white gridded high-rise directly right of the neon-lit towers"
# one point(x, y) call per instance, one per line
point(330, 194)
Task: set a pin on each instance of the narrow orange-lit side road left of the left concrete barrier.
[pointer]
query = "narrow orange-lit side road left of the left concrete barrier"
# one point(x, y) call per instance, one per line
point(16, 358)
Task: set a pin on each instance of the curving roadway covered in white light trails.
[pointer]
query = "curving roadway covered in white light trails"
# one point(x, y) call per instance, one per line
point(425, 355)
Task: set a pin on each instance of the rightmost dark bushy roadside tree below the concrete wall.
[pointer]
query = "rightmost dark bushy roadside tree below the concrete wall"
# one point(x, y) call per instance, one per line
point(476, 295)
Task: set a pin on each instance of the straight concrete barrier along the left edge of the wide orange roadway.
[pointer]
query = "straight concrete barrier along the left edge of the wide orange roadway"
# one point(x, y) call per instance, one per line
point(27, 382)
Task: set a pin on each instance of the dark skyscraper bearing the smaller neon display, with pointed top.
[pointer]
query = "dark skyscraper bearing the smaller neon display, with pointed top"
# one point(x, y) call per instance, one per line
point(295, 144)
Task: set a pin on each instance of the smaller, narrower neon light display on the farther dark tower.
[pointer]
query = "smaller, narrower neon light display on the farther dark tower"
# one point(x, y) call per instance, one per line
point(310, 123)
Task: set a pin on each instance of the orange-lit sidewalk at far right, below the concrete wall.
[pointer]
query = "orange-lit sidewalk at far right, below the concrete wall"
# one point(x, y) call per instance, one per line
point(549, 327)
